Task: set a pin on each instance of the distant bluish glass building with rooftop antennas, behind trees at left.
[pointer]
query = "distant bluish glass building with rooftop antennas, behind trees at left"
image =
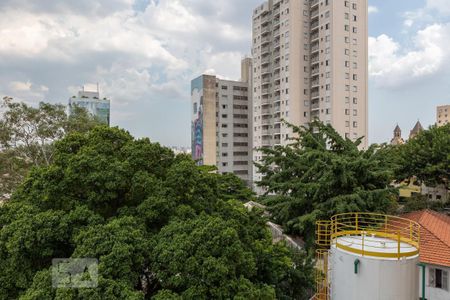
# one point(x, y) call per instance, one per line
point(99, 108)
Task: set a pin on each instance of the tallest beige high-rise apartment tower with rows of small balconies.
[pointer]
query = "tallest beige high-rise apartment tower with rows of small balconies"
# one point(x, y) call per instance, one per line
point(310, 60)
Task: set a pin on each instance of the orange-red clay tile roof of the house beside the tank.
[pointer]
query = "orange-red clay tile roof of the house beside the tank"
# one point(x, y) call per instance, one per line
point(434, 236)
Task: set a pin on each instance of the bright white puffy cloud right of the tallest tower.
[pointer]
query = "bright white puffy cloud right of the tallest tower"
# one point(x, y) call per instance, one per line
point(392, 66)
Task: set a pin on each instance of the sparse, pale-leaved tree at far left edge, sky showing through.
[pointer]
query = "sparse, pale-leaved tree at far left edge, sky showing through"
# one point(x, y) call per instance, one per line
point(27, 134)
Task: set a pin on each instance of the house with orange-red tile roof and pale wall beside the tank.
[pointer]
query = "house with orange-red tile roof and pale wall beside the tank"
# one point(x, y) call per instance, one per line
point(434, 253)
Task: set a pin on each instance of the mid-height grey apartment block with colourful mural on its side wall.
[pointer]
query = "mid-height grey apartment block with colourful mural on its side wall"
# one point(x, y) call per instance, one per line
point(221, 123)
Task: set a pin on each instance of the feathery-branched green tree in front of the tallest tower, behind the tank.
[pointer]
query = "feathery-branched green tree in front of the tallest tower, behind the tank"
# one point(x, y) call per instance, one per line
point(321, 174)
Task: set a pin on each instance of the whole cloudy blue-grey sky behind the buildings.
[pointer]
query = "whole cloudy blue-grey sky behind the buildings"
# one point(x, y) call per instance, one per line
point(144, 53)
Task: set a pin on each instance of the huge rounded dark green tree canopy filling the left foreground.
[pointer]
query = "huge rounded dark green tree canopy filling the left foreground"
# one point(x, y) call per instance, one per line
point(161, 227)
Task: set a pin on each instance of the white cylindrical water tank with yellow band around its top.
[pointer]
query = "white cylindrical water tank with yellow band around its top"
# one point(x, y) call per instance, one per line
point(383, 269)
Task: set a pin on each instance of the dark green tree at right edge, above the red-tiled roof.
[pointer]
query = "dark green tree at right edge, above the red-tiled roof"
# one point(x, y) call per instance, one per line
point(426, 157)
